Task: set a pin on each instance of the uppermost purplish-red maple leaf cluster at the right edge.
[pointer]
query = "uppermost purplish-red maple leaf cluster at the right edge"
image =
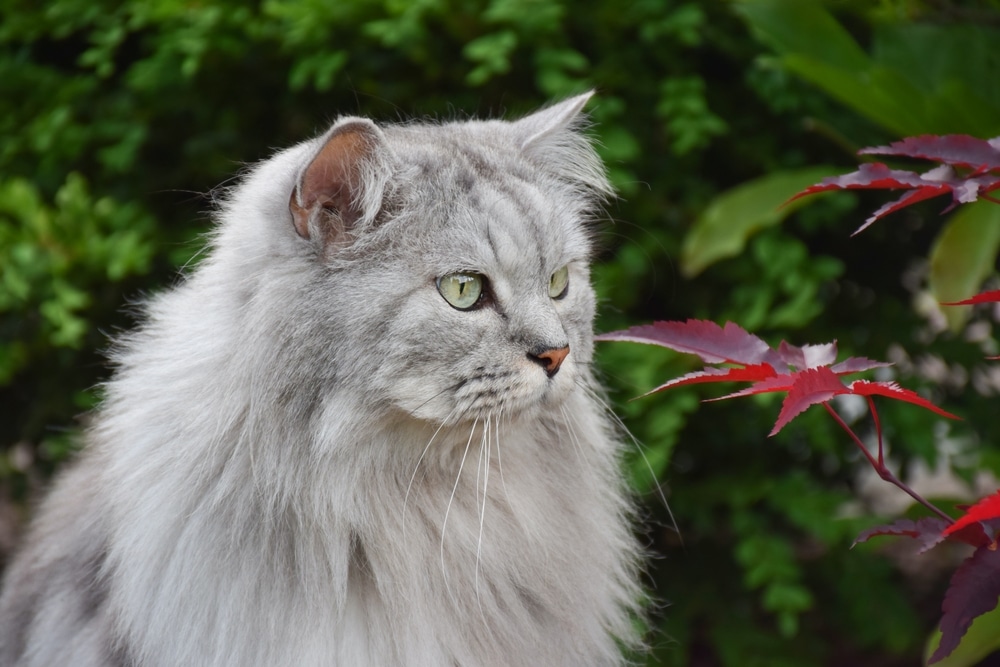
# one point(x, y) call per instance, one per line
point(969, 170)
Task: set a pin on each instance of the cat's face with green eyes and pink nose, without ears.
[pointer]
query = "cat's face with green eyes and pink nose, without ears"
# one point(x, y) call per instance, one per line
point(499, 319)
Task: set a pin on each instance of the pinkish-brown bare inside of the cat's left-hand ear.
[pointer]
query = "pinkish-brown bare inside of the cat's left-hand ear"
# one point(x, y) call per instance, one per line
point(333, 182)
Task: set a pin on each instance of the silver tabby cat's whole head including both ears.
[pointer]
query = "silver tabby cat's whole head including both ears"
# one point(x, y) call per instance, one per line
point(450, 261)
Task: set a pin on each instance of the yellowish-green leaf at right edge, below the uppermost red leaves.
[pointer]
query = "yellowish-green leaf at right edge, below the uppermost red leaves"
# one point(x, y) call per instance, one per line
point(963, 256)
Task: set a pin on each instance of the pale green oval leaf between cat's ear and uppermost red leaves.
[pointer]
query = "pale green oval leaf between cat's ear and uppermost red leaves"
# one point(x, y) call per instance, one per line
point(723, 229)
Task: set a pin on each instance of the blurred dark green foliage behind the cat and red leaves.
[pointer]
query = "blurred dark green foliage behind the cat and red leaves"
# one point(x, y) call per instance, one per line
point(118, 118)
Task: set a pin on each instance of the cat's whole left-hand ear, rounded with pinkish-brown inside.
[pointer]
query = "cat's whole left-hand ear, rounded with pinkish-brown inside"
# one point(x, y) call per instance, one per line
point(332, 194)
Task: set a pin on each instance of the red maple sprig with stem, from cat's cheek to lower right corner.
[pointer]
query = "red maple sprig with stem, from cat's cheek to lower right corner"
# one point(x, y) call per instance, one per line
point(810, 375)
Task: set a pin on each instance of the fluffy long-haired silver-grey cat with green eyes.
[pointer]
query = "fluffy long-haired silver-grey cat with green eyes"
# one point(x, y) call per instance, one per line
point(364, 431)
